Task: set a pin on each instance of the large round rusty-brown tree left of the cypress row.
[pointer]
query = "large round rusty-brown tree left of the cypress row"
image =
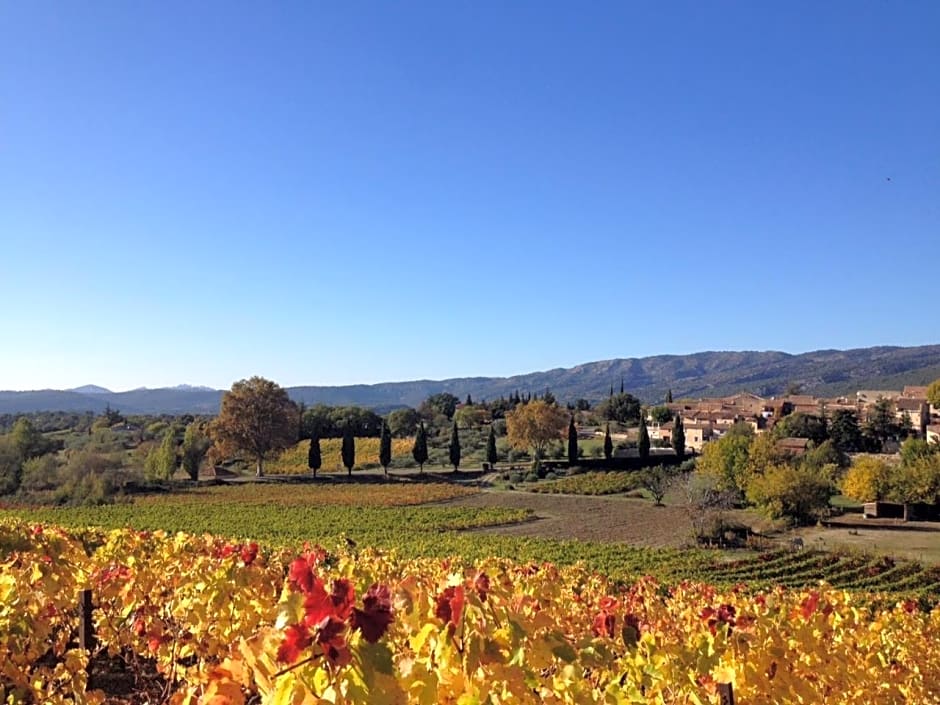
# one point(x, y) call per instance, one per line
point(257, 417)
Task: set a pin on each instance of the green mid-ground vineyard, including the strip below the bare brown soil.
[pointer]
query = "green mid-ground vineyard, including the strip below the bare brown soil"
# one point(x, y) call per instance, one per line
point(413, 521)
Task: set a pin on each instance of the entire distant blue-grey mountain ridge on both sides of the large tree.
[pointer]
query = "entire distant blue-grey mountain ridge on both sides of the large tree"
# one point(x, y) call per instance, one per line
point(704, 374)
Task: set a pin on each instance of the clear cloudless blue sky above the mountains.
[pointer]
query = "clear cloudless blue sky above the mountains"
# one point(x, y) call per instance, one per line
point(333, 193)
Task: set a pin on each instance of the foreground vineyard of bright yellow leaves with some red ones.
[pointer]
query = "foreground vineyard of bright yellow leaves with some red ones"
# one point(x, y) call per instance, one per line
point(200, 619)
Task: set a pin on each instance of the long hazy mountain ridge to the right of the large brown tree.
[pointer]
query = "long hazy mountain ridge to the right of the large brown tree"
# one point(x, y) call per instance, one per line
point(705, 374)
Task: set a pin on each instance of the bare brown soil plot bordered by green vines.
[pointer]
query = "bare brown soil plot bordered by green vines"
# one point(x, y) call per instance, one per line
point(585, 518)
